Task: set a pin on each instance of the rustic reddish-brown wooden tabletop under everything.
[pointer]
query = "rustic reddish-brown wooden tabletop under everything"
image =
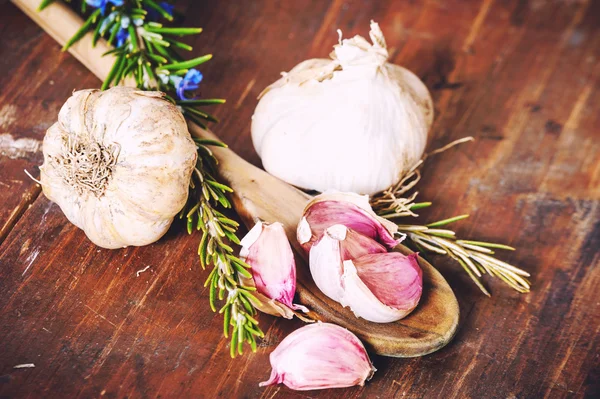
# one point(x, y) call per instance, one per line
point(520, 76)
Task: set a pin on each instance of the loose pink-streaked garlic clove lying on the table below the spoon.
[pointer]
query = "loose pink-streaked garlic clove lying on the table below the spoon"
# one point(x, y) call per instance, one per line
point(319, 356)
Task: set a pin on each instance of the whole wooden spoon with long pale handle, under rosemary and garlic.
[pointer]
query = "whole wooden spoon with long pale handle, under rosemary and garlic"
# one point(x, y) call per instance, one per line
point(259, 195)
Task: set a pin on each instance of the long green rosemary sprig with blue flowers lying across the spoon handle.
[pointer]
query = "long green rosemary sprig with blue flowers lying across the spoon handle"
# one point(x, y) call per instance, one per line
point(145, 53)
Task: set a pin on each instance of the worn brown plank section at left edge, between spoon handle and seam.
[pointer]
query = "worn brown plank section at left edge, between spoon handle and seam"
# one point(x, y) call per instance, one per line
point(35, 72)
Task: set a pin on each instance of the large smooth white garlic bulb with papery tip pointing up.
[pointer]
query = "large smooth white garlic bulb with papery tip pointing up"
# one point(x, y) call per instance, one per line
point(352, 123)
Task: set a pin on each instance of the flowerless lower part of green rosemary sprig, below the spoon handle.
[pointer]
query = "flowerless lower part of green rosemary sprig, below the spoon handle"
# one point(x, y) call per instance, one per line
point(225, 278)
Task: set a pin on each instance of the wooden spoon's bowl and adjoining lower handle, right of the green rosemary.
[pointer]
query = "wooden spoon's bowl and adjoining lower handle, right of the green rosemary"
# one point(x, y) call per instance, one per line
point(260, 196)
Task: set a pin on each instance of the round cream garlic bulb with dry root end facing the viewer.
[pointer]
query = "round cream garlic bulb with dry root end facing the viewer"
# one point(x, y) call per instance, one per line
point(118, 163)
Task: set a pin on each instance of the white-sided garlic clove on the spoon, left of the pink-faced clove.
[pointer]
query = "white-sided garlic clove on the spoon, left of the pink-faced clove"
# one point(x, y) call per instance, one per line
point(337, 245)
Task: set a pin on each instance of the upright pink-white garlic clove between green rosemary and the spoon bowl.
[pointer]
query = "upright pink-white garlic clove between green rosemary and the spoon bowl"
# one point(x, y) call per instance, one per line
point(267, 250)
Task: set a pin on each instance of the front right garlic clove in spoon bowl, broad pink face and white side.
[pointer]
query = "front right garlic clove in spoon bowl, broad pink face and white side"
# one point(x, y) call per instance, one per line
point(382, 288)
